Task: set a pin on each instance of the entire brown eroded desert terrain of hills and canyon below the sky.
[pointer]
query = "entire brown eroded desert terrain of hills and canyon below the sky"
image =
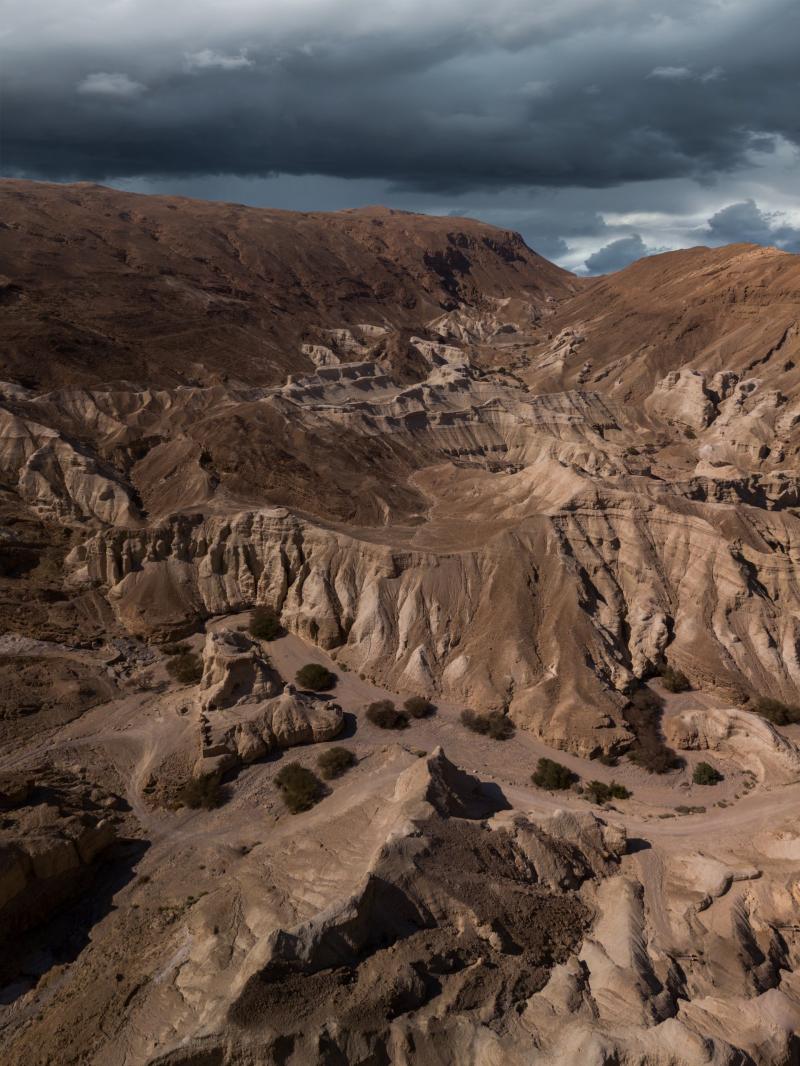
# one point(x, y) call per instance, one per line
point(401, 643)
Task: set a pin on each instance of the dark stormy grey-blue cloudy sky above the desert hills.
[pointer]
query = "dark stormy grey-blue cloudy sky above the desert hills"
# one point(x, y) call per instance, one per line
point(602, 130)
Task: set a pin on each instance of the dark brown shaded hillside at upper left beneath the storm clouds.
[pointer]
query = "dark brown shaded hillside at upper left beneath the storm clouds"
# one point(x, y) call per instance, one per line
point(100, 285)
